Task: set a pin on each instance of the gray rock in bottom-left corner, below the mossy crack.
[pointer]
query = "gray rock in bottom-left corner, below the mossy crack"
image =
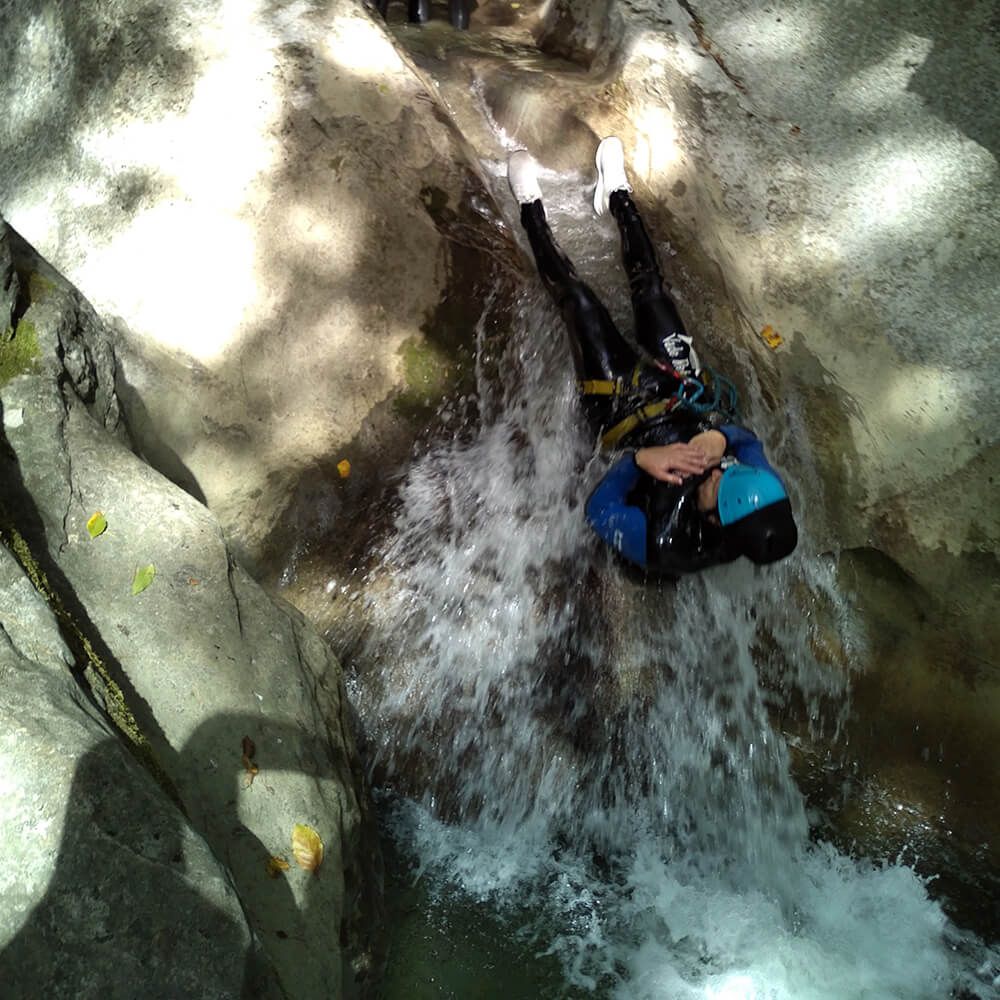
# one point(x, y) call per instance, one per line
point(106, 890)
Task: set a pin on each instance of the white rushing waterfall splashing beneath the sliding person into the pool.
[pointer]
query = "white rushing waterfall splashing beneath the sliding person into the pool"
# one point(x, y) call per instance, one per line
point(598, 753)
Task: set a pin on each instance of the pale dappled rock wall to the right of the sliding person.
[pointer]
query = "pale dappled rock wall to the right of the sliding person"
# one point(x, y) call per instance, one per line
point(820, 172)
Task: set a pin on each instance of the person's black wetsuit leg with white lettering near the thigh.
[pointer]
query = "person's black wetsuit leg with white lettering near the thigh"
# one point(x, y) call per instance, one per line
point(658, 327)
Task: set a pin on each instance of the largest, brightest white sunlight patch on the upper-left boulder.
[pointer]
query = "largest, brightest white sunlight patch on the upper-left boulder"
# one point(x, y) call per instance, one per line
point(200, 172)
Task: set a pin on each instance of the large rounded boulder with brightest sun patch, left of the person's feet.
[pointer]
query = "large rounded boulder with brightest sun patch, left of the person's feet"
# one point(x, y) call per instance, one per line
point(271, 203)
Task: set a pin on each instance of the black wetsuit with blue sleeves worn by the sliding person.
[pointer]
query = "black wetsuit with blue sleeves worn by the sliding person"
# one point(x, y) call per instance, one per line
point(653, 524)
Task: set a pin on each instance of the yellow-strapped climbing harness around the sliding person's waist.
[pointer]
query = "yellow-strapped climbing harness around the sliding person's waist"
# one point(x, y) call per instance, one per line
point(709, 392)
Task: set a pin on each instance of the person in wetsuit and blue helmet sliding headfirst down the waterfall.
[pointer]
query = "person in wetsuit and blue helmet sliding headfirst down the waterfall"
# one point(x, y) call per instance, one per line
point(693, 487)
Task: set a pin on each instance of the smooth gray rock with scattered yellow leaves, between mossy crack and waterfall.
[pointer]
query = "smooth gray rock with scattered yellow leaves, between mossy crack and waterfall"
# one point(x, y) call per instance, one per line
point(203, 657)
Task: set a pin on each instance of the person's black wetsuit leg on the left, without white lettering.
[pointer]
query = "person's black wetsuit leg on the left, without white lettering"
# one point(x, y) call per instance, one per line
point(599, 350)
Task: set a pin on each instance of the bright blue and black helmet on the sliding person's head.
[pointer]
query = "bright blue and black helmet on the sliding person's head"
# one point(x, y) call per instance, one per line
point(756, 514)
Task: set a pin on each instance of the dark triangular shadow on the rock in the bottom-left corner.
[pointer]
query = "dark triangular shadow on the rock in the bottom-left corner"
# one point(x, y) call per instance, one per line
point(132, 901)
